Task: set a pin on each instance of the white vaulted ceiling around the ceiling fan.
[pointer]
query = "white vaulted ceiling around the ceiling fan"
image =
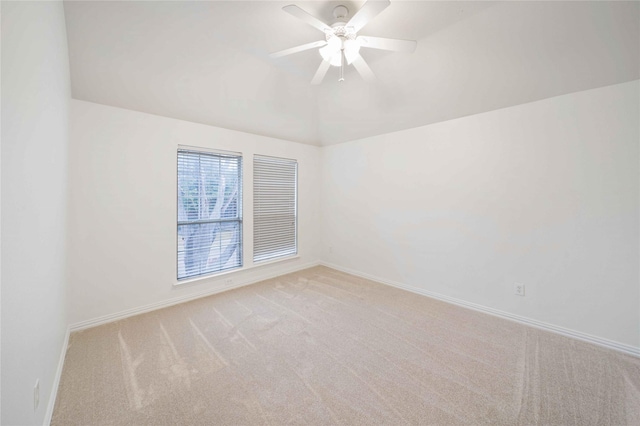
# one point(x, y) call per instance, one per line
point(207, 62)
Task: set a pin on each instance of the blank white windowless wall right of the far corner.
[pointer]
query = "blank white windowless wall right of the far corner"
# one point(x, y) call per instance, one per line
point(544, 194)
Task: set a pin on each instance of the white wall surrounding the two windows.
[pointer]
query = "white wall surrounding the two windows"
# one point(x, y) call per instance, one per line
point(123, 207)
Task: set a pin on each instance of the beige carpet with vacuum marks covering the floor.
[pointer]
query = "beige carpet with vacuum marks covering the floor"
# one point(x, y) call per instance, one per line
point(323, 347)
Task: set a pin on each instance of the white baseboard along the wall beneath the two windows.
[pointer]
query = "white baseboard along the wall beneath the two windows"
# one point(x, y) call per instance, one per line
point(176, 300)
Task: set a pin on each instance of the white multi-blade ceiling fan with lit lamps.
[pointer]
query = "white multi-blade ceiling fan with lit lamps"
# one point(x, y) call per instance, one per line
point(341, 44)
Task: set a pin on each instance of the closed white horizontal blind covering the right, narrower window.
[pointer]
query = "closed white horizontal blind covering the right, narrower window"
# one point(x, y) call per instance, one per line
point(274, 207)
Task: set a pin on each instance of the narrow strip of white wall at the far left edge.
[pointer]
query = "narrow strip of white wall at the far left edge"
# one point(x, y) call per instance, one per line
point(35, 110)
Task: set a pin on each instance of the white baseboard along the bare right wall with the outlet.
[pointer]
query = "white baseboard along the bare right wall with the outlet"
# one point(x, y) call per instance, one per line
point(610, 344)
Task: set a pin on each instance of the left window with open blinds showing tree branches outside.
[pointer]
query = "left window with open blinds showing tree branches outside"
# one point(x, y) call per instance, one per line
point(209, 212)
